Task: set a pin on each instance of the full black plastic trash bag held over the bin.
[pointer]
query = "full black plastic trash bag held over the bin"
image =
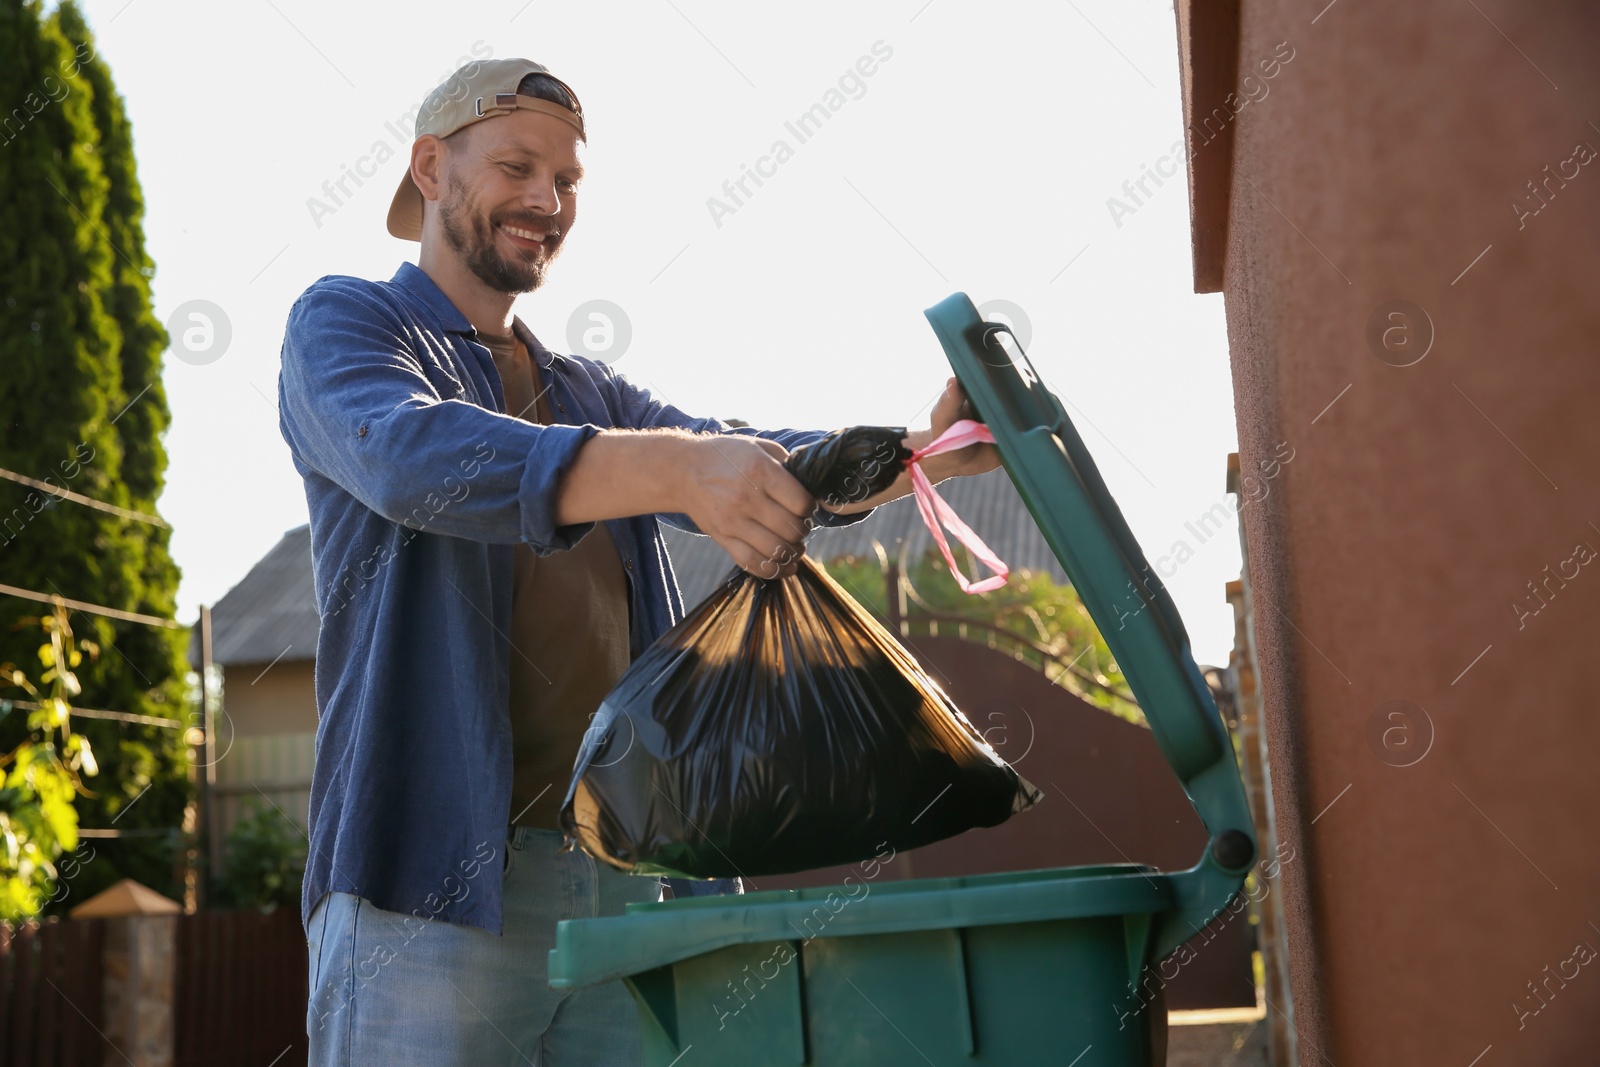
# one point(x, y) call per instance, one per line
point(780, 727)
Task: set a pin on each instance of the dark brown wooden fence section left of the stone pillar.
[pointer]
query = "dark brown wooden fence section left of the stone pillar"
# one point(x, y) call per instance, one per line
point(52, 1010)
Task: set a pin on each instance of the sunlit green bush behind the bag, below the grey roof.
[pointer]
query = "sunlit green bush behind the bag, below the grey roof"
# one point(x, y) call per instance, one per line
point(1031, 618)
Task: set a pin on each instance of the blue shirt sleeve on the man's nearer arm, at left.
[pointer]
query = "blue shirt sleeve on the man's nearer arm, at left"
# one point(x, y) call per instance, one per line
point(358, 407)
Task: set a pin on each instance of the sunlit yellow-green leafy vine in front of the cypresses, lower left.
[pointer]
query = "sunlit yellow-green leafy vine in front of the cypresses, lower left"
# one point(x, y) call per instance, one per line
point(42, 775)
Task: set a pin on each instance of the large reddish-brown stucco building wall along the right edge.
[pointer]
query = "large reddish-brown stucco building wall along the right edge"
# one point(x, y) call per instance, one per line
point(1383, 166)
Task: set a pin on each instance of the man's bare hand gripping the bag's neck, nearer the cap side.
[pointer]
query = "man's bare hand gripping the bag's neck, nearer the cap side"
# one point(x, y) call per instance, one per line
point(738, 494)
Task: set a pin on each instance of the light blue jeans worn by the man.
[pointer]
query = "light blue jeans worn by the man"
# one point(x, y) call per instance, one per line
point(388, 989)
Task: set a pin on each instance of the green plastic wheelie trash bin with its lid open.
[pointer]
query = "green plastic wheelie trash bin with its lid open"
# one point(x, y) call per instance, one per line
point(1042, 967)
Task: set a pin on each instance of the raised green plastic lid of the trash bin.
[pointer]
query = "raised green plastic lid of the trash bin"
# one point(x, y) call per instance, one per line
point(1127, 599)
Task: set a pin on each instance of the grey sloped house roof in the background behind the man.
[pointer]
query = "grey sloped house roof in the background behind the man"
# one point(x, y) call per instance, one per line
point(273, 613)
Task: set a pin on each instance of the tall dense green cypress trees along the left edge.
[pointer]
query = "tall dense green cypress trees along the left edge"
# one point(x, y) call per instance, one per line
point(82, 407)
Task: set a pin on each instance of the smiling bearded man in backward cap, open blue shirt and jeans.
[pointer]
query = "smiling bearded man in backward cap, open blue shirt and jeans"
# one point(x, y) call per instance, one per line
point(489, 561)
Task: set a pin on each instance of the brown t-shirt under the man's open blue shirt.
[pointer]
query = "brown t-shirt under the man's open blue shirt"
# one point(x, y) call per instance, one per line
point(569, 631)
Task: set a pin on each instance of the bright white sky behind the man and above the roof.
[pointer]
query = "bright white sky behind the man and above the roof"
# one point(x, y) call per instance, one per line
point(978, 159)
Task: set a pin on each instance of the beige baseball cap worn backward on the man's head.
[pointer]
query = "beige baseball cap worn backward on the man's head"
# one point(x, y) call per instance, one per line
point(476, 92)
